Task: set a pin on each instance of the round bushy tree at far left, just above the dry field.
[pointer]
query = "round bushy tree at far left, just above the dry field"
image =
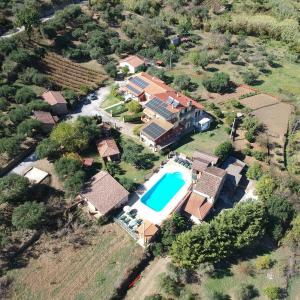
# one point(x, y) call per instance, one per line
point(28, 215)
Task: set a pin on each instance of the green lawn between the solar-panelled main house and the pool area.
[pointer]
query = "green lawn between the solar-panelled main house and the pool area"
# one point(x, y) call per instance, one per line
point(204, 141)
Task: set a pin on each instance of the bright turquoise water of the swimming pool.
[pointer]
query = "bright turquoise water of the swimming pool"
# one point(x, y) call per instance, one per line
point(163, 191)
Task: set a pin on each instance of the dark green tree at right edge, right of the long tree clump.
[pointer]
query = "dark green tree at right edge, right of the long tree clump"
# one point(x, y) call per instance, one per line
point(280, 214)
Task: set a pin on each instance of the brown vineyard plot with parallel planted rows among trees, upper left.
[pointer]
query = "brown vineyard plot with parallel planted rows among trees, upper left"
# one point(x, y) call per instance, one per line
point(71, 75)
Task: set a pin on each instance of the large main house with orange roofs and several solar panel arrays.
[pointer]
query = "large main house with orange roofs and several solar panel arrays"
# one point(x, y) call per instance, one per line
point(167, 114)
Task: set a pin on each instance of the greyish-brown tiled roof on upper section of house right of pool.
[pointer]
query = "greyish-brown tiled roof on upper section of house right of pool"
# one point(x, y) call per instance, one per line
point(210, 182)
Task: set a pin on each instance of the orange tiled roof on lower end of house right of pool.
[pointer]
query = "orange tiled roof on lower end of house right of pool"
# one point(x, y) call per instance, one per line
point(197, 206)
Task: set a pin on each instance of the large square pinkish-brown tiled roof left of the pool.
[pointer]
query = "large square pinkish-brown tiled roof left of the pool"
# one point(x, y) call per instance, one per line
point(104, 192)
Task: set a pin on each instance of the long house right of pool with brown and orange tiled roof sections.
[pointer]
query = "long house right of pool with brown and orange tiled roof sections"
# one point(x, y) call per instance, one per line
point(205, 193)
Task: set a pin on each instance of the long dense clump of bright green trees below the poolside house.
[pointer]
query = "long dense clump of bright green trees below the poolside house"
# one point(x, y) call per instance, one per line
point(226, 234)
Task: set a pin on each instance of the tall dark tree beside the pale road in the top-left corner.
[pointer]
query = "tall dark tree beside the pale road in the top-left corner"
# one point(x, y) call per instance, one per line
point(27, 15)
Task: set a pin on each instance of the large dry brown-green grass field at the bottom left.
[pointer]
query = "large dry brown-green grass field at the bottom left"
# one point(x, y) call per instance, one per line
point(90, 272)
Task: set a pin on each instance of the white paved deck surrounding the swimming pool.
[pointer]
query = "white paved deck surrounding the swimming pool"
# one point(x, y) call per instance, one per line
point(145, 212)
